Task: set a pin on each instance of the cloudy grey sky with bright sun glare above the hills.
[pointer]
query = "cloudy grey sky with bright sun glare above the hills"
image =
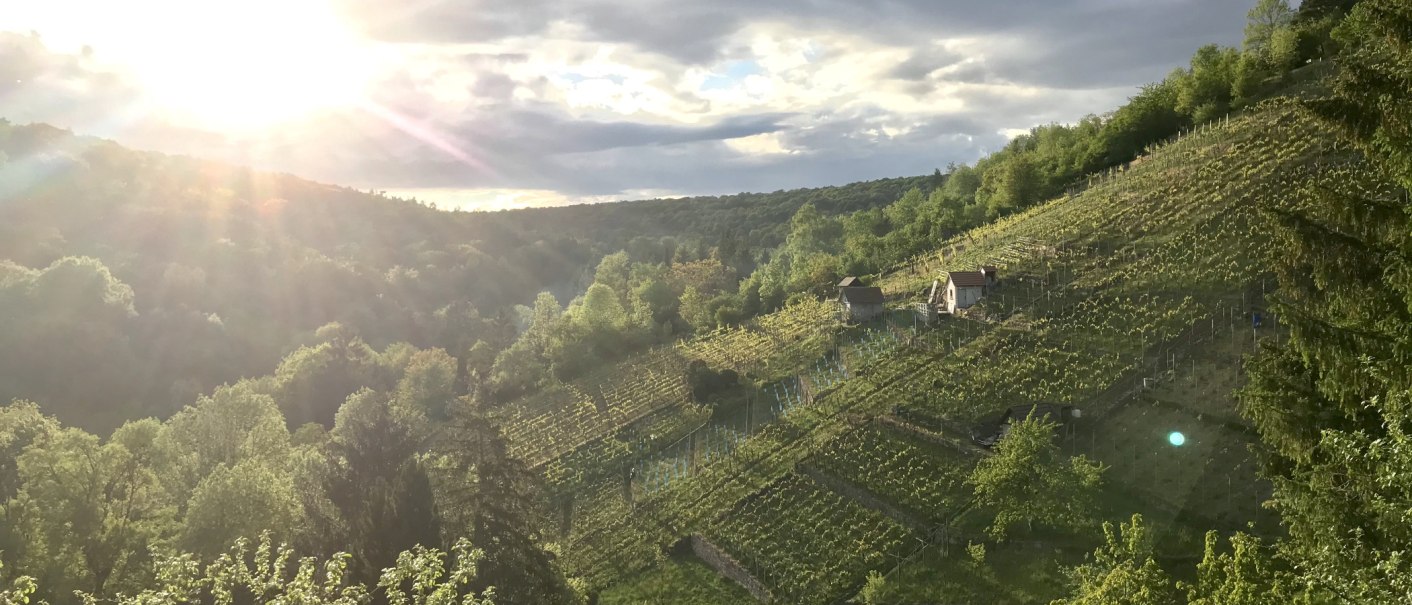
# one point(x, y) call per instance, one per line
point(486, 105)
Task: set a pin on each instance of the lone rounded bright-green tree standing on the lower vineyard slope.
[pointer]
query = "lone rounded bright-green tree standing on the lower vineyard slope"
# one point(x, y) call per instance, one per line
point(1030, 480)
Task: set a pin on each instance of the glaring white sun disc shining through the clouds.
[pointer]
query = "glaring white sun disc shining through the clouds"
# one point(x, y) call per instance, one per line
point(251, 64)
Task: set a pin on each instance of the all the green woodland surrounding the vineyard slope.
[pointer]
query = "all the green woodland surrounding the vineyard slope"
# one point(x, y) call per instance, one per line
point(237, 387)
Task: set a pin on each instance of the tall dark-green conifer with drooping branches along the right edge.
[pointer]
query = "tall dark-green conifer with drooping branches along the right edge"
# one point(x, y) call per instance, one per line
point(1332, 404)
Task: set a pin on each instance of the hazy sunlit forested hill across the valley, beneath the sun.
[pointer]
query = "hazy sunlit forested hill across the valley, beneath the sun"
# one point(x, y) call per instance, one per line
point(217, 272)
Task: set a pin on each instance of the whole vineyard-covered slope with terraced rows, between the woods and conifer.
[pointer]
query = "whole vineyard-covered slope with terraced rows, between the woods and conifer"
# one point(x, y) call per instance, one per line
point(1129, 300)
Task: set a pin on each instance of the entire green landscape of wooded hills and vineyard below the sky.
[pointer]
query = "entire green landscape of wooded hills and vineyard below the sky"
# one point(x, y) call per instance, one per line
point(1185, 380)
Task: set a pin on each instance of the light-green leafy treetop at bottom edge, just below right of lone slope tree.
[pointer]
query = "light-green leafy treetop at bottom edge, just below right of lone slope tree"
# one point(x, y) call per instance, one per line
point(1122, 572)
